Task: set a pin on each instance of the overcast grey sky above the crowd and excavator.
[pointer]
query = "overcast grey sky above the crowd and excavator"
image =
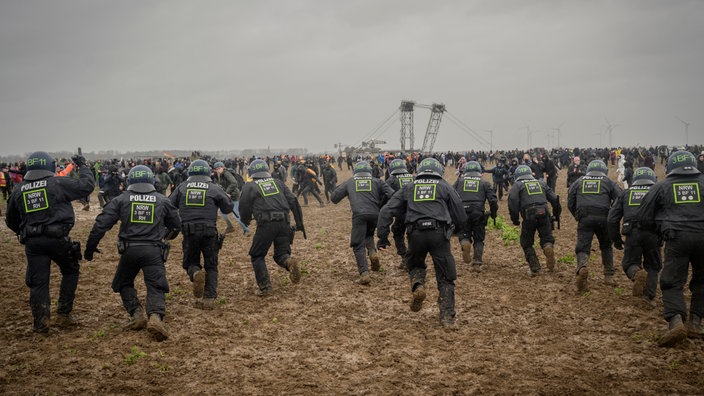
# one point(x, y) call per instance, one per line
point(218, 75)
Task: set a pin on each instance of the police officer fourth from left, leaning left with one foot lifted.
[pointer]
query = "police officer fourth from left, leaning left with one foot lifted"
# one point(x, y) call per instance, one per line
point(268, 201)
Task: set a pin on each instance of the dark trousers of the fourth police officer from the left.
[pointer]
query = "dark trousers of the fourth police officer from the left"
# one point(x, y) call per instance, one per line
point(278, 233)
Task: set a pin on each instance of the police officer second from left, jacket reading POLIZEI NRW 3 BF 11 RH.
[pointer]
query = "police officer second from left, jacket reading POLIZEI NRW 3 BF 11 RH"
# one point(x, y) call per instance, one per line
point(146, 218)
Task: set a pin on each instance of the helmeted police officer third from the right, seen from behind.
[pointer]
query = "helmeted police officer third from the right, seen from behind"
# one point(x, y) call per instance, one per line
point(589, 199)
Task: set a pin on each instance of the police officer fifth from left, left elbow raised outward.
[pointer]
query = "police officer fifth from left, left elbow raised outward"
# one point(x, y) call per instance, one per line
point(367, 195)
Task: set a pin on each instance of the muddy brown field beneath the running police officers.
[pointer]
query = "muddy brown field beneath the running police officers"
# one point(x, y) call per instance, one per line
point(329, 335)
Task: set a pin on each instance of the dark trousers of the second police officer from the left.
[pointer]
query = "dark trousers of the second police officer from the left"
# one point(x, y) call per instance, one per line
point(148, 260)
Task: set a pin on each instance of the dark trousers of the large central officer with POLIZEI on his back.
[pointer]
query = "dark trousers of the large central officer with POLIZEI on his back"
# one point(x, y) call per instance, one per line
point(422, 242)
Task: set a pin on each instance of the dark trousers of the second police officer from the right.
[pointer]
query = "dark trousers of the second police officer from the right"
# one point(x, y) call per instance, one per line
point(642, 250)
